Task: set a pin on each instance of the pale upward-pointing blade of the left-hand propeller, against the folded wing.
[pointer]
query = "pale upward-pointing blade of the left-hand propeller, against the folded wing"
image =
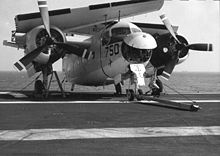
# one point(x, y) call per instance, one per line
point(42, 4)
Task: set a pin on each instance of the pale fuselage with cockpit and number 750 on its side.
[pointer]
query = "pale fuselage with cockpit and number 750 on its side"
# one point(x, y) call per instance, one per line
point(110, 56)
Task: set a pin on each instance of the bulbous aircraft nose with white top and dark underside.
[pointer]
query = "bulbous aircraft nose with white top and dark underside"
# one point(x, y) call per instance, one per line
point(138, 47)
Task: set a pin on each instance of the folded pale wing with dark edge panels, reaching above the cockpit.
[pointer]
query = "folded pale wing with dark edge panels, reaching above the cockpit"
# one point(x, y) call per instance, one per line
point(78, 18)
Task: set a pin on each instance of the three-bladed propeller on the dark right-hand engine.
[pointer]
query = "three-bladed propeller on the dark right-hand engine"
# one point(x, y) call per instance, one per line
point(180, 46)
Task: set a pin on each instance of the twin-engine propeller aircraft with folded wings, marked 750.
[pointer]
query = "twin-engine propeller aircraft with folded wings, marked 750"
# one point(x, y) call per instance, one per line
point(97, 47)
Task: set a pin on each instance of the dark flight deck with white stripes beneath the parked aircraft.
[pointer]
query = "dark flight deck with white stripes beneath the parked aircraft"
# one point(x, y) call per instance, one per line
point(103, 124)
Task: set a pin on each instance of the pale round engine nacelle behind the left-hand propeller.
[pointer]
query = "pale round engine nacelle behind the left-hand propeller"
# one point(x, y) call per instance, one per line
point(37, 37)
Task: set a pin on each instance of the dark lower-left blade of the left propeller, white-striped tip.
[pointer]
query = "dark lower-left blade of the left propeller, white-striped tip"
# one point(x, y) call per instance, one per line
point(27, 59)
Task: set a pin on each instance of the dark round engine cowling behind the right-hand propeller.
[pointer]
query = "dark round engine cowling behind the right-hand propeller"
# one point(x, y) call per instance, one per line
point(167, 49)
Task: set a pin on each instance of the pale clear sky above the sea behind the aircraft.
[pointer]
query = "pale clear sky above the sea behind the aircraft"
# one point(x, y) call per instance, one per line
point(198, 21)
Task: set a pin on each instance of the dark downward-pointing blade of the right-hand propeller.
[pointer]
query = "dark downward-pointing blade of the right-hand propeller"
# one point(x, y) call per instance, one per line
point(169, 69)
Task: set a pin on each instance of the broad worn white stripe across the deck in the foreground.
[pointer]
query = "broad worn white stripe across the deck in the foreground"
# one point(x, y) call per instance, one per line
point(100, 133)
